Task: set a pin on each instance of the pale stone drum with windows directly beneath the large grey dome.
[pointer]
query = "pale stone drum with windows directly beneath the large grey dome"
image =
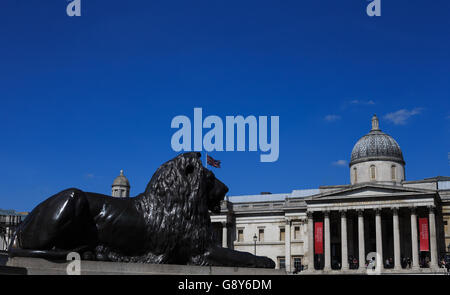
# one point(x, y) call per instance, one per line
point(382, 172)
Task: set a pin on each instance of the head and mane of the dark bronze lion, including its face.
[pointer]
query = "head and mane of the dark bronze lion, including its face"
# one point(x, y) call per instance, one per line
point(178, 199)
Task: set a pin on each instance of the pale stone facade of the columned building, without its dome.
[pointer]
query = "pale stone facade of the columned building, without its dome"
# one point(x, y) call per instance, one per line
point(383, 218)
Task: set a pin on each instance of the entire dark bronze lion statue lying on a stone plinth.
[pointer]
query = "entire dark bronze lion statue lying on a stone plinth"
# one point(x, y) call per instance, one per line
point(168, 223)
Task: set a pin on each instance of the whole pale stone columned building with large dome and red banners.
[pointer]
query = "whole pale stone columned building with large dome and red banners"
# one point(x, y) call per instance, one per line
point(338, 228)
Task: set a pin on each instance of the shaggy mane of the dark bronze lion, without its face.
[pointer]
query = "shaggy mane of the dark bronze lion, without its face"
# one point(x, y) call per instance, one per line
point(175, 209)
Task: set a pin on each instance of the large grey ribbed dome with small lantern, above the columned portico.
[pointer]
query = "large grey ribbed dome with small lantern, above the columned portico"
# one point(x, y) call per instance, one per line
point(376, 146)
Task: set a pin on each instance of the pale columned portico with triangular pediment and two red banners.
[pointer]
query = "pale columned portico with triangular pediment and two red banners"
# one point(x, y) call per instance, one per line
point(373, 220)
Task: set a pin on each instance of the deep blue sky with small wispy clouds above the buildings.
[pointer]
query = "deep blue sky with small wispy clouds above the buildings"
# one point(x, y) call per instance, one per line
point(83, 97)
